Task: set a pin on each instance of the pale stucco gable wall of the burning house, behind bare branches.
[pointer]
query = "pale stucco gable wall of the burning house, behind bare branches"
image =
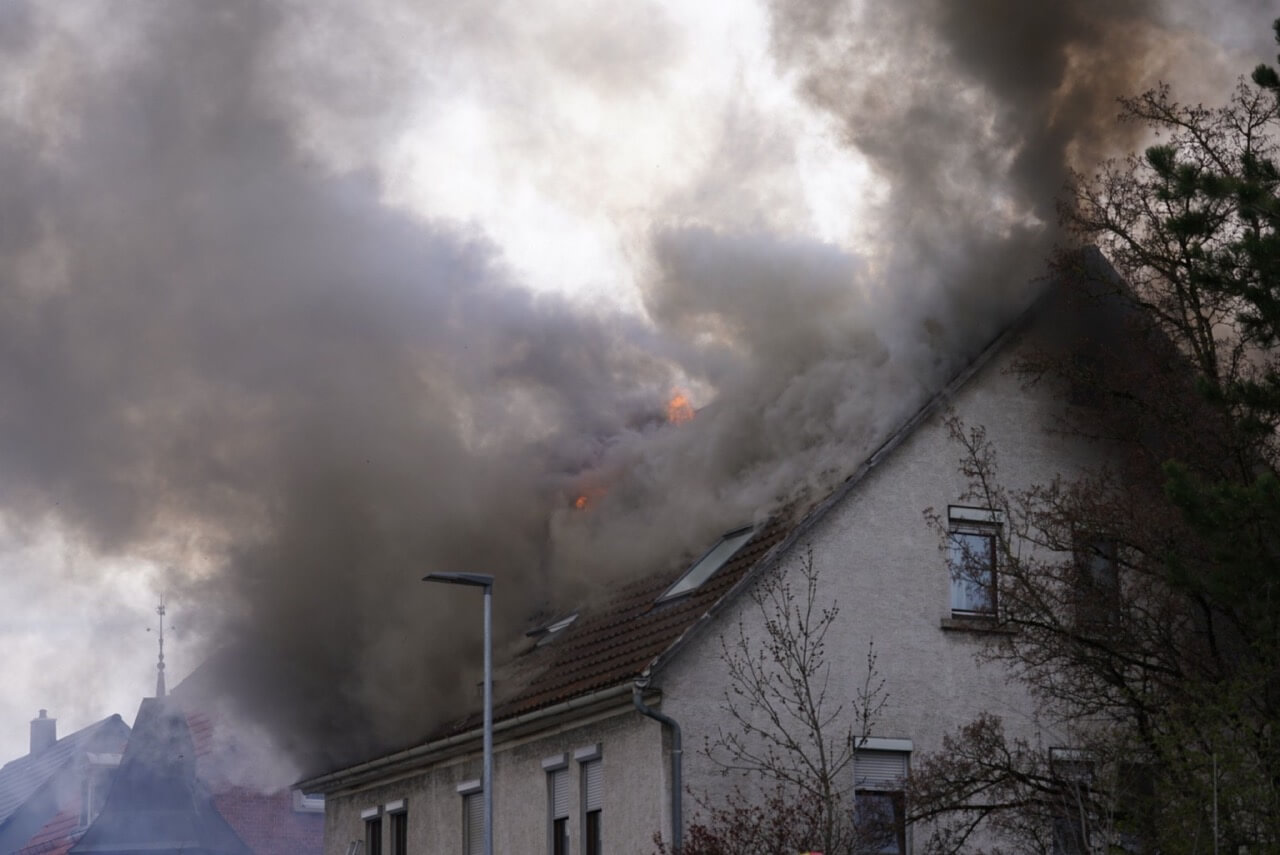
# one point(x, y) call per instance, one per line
point(881, 563)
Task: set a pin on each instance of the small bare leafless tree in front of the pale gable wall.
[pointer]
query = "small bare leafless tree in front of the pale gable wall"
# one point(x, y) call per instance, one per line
point(790, 737)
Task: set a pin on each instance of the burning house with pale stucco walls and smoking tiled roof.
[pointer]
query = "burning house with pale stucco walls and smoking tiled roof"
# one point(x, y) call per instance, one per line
point(588, 753)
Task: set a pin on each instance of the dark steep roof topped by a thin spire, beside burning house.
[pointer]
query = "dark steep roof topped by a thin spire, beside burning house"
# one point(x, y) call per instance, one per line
point(157, 802)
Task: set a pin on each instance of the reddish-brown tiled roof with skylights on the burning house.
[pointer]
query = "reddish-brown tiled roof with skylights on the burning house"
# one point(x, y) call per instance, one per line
point(630, 637)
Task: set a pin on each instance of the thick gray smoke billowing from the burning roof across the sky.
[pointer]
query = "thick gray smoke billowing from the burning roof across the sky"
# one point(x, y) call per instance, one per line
point(223, 353)
